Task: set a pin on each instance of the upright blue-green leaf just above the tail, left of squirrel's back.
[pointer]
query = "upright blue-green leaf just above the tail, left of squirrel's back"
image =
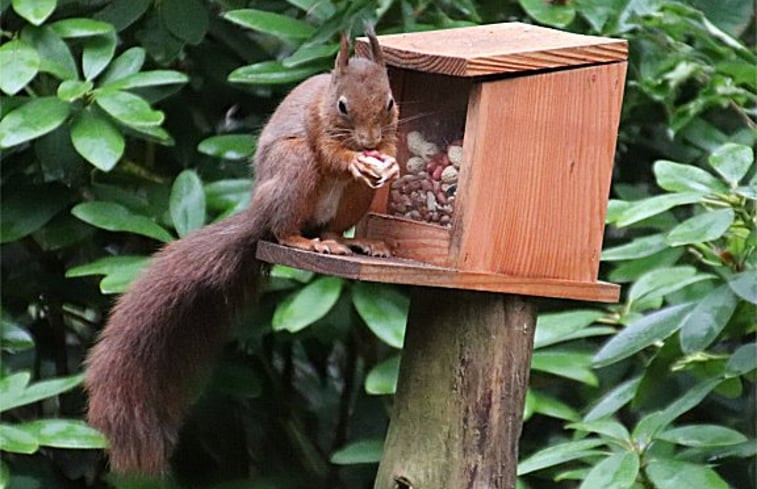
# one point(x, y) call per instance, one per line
point(187, 203)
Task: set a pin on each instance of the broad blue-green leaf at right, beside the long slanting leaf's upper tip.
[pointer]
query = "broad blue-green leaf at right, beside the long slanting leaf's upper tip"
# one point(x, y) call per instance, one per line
point(708, 318)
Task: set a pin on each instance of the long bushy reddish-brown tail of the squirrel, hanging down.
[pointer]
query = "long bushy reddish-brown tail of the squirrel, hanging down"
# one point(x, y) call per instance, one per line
point(162, 334)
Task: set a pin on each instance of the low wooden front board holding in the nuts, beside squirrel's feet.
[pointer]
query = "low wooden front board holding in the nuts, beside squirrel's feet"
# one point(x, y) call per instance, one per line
point(410, 239)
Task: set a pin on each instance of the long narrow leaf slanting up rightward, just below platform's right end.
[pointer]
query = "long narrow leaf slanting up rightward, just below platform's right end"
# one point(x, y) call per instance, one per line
point(642, 333)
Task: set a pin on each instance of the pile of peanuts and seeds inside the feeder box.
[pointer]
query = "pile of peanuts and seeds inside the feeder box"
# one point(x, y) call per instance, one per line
point(426, 190)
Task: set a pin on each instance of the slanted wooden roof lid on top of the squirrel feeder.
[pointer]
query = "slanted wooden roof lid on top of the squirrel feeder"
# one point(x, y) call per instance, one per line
point(495, 49)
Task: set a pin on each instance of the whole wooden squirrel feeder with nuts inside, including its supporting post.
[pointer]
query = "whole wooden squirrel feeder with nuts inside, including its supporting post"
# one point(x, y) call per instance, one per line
point(507, 146)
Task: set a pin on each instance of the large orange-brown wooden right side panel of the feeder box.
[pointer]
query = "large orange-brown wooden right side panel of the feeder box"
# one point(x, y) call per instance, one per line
point(537, 165)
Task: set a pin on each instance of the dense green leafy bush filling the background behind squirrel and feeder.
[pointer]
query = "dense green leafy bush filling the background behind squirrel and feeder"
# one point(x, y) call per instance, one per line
point(126, 124)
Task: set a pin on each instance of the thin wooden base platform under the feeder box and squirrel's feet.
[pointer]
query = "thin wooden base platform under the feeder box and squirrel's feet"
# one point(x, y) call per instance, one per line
point(403, 271)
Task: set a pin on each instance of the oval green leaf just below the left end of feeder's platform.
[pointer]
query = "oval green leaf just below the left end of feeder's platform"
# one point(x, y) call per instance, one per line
point(307, 305)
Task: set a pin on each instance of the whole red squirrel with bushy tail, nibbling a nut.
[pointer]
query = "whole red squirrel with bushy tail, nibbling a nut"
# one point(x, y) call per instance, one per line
point(314, 180)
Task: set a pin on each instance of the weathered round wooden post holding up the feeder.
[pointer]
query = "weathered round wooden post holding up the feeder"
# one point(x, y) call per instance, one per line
point(459, 403)
